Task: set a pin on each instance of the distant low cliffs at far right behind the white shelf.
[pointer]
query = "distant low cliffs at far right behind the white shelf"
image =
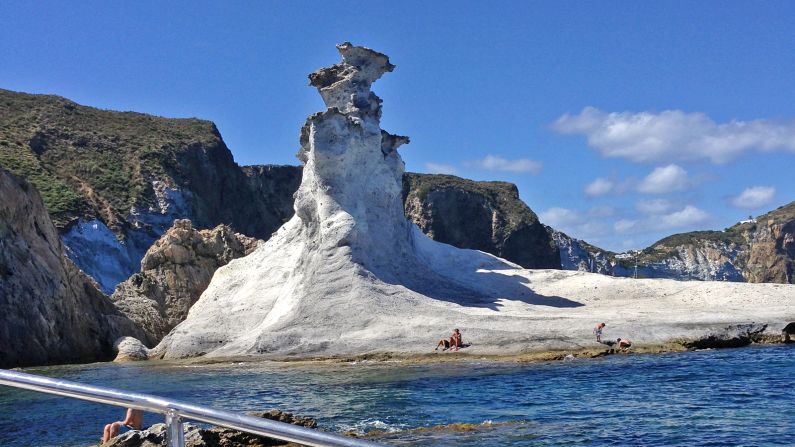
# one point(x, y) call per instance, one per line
point(760, 250)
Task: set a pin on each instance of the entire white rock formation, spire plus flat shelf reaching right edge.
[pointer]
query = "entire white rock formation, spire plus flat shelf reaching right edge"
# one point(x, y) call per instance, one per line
point(348, 274)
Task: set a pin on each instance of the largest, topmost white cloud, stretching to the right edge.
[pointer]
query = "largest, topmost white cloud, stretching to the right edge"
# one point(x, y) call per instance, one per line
point(674, 135)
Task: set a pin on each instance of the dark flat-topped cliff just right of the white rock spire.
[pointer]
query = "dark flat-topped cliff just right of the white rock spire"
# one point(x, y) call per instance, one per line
point(486, 216)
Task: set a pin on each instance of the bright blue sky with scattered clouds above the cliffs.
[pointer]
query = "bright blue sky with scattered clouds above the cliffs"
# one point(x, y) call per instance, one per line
point(619, 122)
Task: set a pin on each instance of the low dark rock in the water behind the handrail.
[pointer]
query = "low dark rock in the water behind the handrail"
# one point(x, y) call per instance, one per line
point(155, 436)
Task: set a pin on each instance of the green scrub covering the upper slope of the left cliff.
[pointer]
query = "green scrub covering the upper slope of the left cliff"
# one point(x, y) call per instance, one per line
point(91, 162)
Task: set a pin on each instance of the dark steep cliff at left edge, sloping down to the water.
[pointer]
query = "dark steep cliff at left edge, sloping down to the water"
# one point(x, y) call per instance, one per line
point(50, 312)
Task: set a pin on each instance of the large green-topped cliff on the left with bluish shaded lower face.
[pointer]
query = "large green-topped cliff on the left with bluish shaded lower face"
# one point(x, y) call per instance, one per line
point(113, 182)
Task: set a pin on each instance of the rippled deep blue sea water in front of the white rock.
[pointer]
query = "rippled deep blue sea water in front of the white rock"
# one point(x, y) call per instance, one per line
point(706, 398)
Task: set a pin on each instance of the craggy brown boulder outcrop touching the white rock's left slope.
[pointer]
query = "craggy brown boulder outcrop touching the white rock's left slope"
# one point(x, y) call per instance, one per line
point(174, 273)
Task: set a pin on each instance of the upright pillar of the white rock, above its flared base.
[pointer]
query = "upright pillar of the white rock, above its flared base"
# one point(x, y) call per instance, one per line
point(352, 175)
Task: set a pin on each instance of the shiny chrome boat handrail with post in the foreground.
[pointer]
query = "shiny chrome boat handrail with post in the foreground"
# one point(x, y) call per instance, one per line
point(175, 412)
